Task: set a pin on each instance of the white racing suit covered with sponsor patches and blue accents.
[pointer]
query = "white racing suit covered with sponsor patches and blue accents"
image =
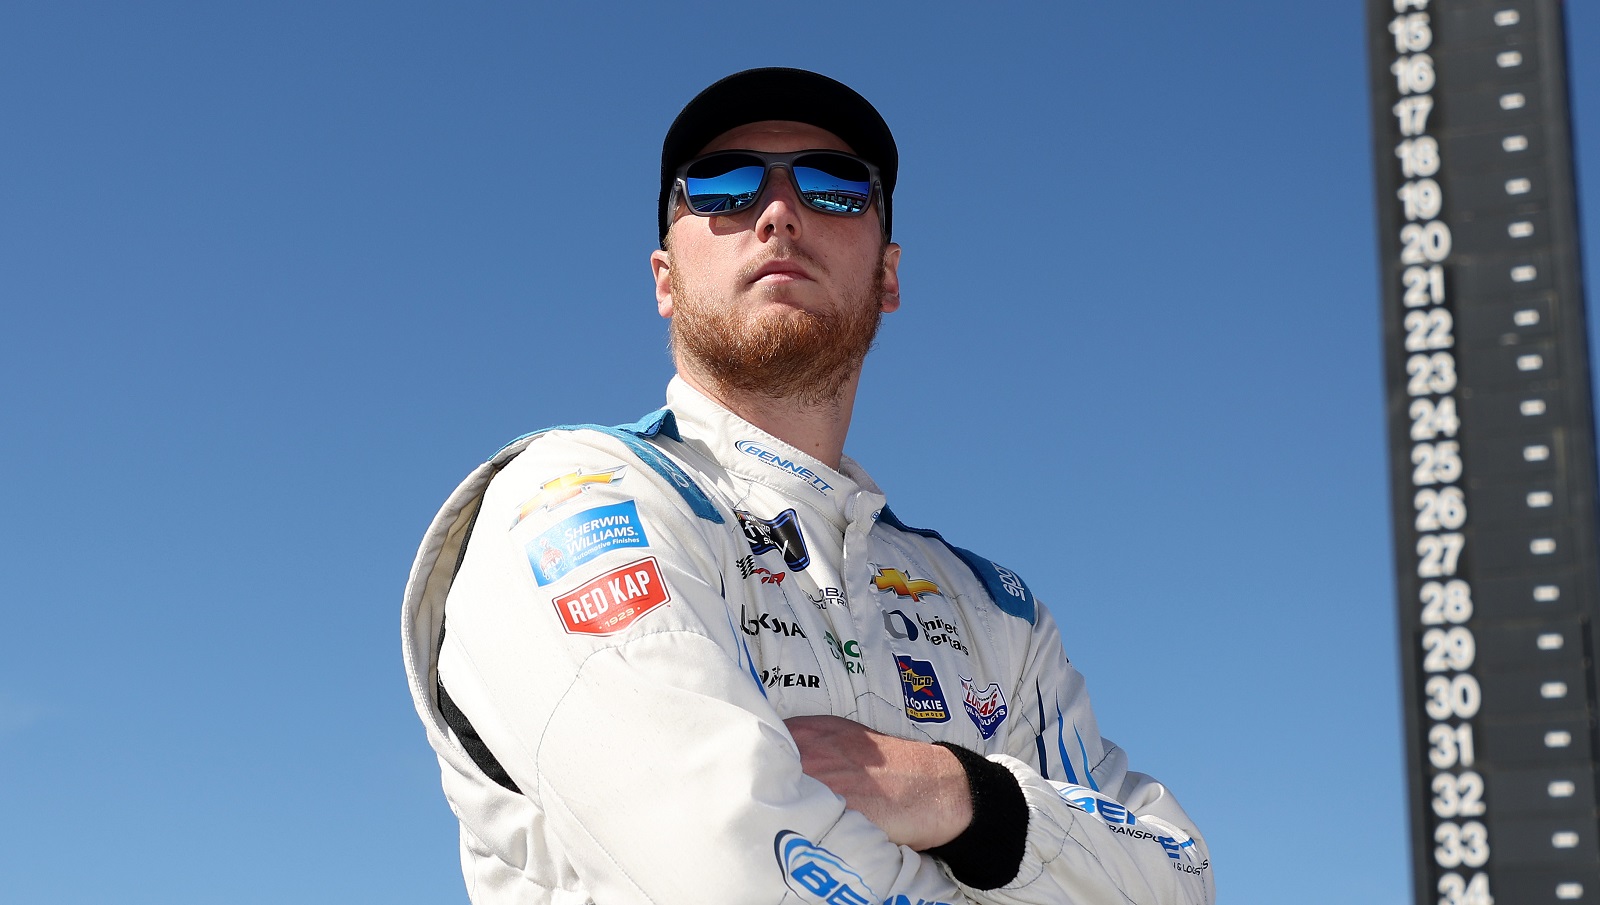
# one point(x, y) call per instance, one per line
point(633, 613)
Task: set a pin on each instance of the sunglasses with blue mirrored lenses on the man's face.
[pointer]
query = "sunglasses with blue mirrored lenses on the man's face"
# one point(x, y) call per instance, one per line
point(730, 181)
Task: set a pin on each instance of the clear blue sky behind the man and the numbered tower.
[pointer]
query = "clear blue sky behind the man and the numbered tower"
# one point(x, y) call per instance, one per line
point(276, 276)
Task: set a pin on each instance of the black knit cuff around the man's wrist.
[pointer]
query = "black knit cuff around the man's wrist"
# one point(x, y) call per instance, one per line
point(990, 853)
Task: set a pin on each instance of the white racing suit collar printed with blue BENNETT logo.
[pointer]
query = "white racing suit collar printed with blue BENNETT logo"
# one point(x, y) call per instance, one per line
point(844, 495)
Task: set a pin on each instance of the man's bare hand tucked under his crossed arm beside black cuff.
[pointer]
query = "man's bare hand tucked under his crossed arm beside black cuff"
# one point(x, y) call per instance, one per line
point(914, 792)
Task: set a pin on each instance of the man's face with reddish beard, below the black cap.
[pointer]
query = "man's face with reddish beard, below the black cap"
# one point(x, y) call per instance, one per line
point(777, 300)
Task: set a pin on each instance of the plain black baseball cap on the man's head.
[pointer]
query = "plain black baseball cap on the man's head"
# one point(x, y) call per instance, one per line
point(777, 94)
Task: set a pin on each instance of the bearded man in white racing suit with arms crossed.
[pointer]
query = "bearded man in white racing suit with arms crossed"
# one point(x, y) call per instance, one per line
point(698, 660)
